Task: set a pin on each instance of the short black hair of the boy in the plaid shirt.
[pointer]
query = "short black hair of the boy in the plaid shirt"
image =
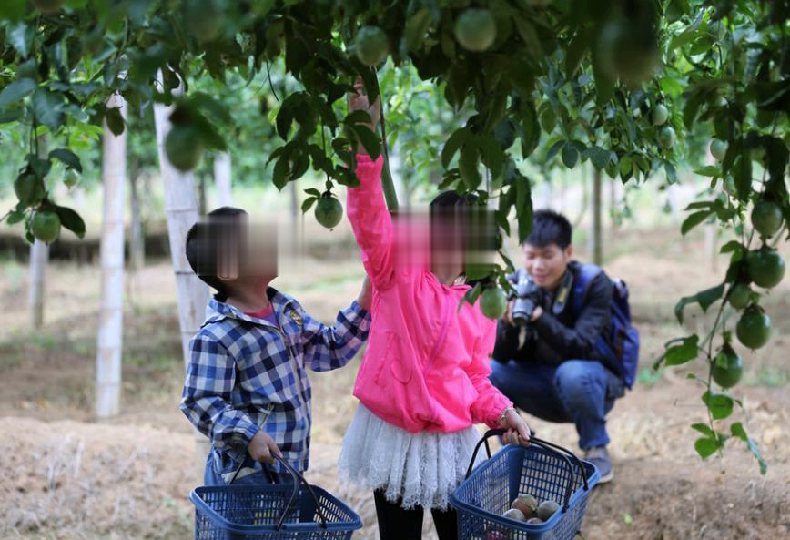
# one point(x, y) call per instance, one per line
point(203, 244)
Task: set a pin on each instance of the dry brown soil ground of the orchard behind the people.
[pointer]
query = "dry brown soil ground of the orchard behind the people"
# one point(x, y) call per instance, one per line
point(66, 476)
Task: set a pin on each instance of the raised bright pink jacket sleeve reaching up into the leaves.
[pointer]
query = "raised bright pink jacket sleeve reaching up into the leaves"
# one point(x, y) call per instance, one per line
point(370, 220)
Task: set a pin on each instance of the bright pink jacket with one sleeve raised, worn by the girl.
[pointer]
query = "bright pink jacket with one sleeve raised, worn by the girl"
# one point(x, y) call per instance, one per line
point(426, 366)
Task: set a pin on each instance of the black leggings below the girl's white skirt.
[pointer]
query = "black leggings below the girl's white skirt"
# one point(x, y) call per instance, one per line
point(396, 523)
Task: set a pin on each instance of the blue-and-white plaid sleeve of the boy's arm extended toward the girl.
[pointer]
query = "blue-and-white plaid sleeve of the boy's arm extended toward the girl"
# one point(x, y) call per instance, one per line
point(331, 347)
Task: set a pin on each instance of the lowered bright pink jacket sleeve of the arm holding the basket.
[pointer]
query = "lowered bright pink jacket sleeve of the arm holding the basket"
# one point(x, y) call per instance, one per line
point(490, 402)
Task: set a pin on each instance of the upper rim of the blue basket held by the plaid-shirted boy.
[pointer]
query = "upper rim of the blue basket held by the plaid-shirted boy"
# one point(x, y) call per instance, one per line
point(219, 520)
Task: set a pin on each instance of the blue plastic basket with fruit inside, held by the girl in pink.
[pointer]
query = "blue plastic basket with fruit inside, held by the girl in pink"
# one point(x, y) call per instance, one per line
point(547, 471)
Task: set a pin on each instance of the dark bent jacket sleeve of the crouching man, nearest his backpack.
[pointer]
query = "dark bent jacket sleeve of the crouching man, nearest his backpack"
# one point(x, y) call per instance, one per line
point(578, 342)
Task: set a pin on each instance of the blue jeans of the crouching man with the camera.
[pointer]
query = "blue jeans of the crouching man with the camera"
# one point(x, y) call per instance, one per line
point(577, 391)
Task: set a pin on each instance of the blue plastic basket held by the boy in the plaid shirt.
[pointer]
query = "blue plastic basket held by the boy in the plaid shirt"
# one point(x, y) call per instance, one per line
point(271, 512)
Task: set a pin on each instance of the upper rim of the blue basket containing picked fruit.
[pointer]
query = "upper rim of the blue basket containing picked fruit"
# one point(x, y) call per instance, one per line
point(463, 506)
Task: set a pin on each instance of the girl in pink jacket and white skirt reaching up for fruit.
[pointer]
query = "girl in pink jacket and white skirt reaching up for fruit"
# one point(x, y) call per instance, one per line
point(423, 382)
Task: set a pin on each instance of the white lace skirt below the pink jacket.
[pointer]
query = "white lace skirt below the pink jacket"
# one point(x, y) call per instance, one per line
point(411, 468)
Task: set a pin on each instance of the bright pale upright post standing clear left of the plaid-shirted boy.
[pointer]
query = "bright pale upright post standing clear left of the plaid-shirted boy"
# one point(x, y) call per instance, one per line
point(109, 341)
